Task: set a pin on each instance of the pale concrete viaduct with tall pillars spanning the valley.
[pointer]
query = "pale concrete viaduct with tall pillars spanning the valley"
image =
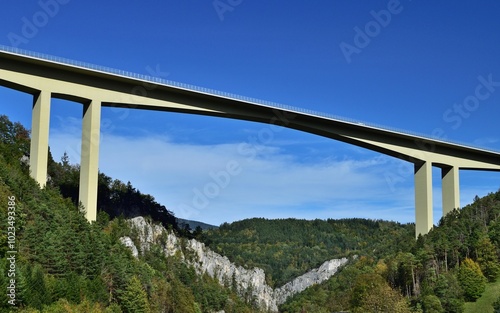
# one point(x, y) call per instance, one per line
point(46, 77)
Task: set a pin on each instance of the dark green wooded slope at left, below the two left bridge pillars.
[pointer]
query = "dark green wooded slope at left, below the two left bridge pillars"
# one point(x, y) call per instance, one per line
point(64, 264)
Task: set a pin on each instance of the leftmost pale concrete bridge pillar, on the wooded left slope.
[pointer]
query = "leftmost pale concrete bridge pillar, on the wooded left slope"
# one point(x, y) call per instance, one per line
point(39, 148)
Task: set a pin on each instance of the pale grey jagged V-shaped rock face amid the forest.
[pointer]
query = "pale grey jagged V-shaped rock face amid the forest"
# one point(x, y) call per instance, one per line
point(249, 283)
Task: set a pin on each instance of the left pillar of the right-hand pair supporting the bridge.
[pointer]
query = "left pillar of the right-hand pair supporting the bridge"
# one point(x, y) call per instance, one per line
point(423, 198)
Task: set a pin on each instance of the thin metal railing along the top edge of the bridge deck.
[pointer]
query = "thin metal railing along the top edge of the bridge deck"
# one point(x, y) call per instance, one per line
point(208, 91)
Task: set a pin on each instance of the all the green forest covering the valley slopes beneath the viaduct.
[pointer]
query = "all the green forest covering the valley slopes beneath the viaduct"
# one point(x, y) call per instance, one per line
point(65, 264)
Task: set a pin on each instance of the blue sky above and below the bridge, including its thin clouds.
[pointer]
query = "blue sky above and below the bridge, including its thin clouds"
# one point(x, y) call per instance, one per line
point(413, 65)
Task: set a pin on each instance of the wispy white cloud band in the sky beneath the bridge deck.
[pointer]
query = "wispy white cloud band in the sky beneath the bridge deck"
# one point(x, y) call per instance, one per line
point(232, 181)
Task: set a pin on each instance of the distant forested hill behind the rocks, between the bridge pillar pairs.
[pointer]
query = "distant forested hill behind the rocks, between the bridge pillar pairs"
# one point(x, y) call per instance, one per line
point(287, 248)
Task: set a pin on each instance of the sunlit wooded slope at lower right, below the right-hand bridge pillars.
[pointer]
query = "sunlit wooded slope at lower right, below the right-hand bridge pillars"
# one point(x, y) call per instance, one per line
point(436, 273)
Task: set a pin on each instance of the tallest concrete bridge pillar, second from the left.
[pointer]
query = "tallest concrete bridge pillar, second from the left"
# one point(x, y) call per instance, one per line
point(89, 167)
